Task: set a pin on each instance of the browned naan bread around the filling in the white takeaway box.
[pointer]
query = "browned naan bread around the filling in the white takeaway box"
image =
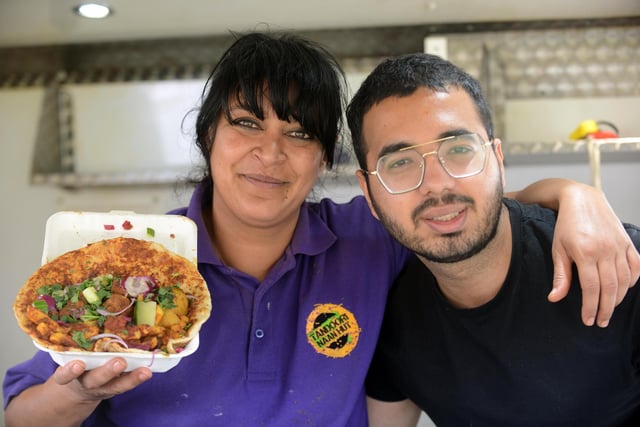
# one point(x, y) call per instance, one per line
point(118, 257)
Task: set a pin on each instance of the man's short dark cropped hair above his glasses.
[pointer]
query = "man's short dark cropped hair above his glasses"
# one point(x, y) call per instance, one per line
point(402, 76)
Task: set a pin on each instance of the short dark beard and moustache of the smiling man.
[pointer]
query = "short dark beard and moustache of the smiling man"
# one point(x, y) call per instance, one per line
point(454, 247)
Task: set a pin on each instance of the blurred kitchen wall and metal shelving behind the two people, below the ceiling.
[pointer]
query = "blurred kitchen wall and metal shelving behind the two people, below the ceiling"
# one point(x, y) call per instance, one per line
point(104, 124)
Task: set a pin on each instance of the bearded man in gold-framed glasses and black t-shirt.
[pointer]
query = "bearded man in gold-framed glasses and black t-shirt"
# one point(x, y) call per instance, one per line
point(469, 336)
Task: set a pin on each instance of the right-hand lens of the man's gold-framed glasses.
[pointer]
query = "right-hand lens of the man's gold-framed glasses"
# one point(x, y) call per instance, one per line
point(463, 155)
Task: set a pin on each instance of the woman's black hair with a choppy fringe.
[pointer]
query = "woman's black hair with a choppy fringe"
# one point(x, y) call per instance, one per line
point(299, 78)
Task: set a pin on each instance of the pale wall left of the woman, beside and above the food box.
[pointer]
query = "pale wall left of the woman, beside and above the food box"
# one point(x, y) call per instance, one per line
point(25, 209)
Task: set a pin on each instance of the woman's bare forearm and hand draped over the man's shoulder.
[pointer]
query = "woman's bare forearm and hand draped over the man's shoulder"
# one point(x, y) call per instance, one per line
point(589, 234)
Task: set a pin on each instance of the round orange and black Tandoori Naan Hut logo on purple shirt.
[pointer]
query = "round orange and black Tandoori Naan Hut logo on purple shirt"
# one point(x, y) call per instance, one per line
point(332, 330)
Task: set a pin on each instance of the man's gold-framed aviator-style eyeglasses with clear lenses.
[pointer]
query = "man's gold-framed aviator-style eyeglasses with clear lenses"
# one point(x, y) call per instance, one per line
point(403, 170)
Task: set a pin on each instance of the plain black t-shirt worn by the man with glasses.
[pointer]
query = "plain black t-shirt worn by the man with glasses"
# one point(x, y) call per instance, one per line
point(518, 360)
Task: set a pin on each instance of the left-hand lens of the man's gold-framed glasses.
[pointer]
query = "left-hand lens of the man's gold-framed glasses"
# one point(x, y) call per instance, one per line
point(400, 171)
